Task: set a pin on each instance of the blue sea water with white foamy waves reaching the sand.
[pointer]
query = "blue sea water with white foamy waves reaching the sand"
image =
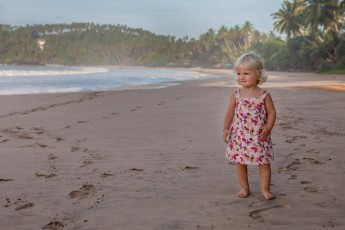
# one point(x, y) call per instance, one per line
point(16, 80)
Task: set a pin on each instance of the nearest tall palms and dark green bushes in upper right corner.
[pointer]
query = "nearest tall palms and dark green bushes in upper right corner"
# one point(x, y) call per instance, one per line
point(315, 32)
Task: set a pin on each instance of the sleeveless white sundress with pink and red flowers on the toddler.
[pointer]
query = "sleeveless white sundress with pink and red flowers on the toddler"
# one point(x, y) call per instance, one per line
point(244, 146)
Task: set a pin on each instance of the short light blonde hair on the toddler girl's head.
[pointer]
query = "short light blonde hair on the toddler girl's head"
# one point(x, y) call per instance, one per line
point(253, 62)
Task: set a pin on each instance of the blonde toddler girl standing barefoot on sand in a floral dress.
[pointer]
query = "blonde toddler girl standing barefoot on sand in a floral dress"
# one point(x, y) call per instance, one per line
point(248, 123)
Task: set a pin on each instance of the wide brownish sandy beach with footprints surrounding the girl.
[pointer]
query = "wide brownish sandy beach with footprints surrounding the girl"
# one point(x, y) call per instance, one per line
point(154, 158)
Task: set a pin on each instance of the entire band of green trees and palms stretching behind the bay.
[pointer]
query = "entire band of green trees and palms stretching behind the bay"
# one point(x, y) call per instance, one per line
point(314, 30)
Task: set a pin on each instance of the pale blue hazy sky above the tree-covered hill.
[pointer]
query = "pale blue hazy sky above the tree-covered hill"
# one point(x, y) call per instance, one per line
point(177, 18)
